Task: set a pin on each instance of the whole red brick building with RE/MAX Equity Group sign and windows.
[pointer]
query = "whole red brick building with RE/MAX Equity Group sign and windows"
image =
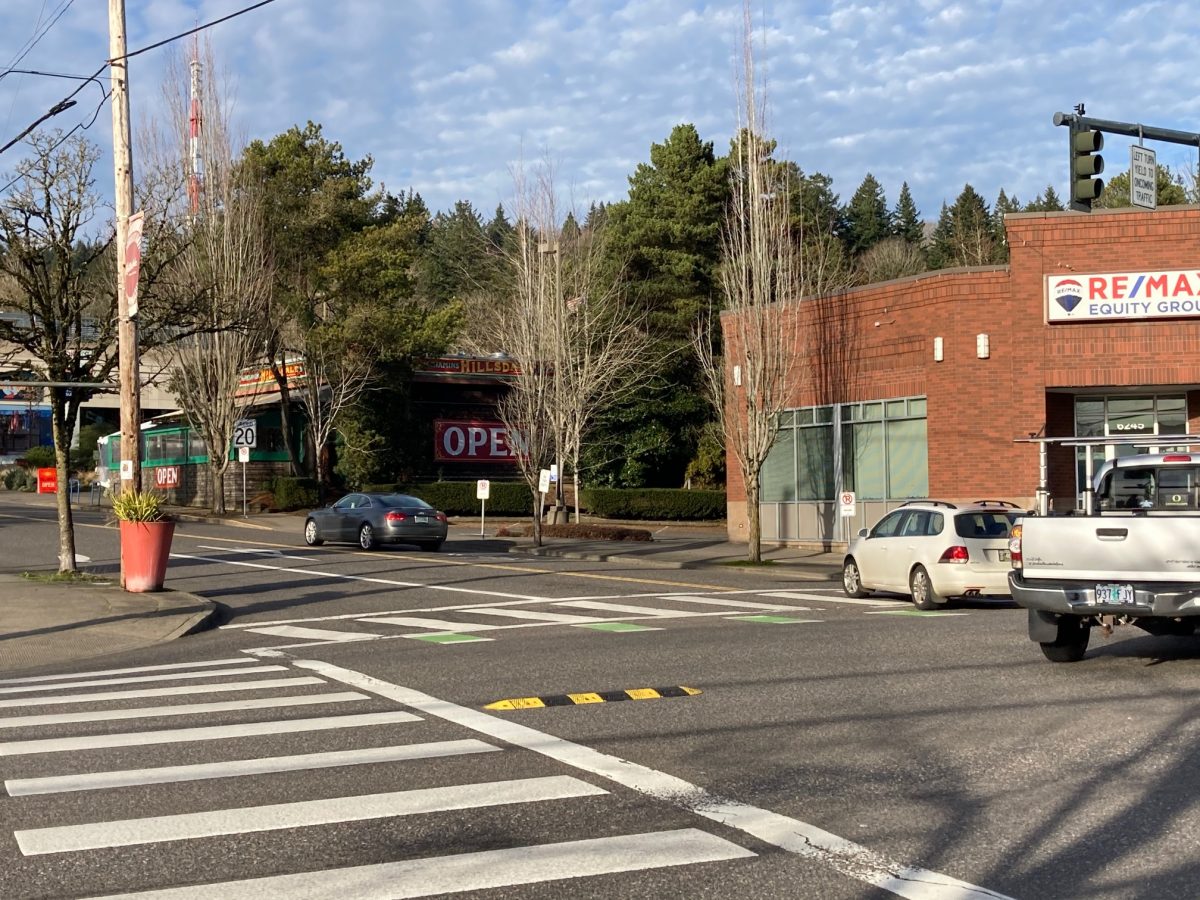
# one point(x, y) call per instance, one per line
point(922, 387)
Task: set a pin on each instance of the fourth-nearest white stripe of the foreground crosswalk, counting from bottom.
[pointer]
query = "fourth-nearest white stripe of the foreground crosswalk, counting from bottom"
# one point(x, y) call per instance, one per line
point(208, 733)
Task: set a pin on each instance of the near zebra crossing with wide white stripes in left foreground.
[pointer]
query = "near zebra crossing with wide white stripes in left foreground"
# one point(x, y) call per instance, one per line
point(214, 775)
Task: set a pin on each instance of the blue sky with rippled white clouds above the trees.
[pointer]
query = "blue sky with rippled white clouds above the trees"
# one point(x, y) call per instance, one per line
point(451, 98)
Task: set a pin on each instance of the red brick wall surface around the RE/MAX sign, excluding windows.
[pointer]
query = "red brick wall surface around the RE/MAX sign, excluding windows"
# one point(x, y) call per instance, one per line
point(878, 343)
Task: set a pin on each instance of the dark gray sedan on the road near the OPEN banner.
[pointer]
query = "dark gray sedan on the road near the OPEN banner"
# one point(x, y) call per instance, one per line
point(373, 519)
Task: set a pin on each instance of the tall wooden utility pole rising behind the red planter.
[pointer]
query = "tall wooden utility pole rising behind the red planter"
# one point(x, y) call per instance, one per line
point(128, 327)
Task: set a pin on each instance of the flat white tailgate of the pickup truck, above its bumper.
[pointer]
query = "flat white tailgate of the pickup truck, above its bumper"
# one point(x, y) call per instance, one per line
point(1161, 549)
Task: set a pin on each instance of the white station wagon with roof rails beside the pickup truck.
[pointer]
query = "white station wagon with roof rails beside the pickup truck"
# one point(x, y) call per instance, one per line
point(934, 550)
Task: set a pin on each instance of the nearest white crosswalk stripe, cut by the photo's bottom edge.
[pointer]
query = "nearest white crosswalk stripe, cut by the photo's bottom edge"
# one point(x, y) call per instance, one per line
point(476, 872)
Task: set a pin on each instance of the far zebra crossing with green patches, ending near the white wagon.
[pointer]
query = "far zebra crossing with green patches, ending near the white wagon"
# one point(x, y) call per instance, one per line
point(489, 621)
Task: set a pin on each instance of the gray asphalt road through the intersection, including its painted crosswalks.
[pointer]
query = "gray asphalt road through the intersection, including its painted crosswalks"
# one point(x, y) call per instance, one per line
point(836, 751)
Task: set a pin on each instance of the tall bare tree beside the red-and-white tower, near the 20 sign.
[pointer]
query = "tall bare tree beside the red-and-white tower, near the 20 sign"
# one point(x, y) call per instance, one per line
point(226, 268)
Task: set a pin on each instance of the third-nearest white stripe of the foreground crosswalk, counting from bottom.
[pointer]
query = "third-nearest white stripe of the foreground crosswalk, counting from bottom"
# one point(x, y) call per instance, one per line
point(235, 769)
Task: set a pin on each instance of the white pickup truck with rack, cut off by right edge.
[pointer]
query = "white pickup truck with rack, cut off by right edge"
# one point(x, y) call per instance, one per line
point(1133, 561)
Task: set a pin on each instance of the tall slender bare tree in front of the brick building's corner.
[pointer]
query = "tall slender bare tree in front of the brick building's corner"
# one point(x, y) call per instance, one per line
point(760, 277)
